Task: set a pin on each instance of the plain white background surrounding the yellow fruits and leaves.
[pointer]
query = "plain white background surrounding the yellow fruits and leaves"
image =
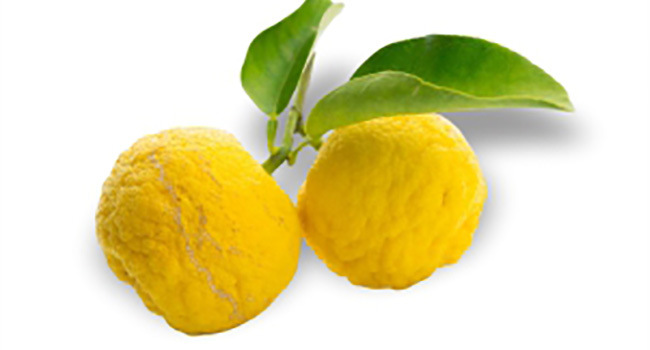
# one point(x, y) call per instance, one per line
point(560, 260)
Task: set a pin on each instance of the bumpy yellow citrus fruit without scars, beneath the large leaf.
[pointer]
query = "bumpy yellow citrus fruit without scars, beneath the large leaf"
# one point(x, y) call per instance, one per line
point(391, 199)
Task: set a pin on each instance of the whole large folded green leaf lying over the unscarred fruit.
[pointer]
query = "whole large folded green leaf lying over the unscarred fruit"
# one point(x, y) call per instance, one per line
point(437, 73)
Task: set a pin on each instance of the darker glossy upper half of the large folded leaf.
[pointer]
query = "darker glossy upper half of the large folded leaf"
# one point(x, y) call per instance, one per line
point(470, 65)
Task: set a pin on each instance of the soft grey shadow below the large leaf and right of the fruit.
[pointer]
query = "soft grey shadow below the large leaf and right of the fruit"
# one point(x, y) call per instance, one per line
point(499, 133)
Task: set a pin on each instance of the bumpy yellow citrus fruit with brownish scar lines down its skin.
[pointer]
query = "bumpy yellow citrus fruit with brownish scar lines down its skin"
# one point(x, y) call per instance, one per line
point(204, 235)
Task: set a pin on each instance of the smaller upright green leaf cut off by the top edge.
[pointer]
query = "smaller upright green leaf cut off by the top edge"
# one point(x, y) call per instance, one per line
point(277, 57)
